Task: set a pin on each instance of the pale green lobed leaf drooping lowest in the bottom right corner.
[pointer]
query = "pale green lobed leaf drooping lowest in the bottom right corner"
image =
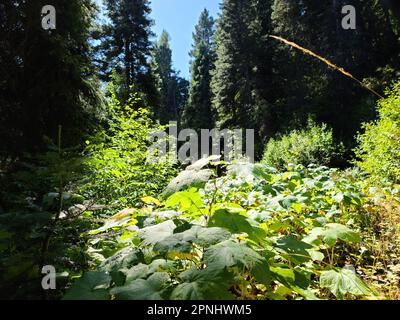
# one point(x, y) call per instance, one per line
point(342, 282)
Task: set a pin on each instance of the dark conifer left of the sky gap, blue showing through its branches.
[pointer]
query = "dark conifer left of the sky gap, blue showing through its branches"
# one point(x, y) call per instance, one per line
point(126, 46)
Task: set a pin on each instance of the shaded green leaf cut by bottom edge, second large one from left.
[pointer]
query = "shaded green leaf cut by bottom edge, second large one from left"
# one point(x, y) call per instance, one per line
point(152, 288)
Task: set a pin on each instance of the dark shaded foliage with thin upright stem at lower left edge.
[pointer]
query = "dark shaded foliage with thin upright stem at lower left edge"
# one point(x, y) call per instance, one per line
point(38, 225)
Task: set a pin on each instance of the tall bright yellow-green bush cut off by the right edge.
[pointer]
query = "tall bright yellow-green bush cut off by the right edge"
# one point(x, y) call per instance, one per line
point(378, 152)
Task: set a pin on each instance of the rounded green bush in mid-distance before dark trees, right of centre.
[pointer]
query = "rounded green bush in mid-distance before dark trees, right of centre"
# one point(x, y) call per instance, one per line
point(312, 145)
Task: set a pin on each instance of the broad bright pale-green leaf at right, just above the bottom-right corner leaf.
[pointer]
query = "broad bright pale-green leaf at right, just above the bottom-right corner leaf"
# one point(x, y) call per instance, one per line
point(331, 233)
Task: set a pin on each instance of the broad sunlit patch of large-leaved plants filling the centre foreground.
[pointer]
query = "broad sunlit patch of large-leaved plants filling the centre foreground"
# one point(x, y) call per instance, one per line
point(253, 235)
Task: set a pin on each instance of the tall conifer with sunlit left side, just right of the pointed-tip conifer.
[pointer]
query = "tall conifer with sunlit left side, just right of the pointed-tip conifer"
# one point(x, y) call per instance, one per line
point(231, 79)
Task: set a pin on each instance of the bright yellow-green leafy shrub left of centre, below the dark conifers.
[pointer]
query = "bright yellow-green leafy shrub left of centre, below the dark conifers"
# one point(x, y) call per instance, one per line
point(119, 171)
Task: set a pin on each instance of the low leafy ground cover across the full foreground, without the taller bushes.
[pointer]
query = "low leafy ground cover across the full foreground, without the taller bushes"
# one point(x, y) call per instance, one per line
point(304, 233)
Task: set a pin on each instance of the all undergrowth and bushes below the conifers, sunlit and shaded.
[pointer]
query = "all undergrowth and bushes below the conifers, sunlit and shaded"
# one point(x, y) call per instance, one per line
point(116, 226)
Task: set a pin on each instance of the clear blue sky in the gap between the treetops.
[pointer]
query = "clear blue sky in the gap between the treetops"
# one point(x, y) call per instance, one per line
point(178, 18)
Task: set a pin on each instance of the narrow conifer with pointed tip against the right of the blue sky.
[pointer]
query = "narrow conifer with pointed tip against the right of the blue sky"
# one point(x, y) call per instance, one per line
point(198, 112)
